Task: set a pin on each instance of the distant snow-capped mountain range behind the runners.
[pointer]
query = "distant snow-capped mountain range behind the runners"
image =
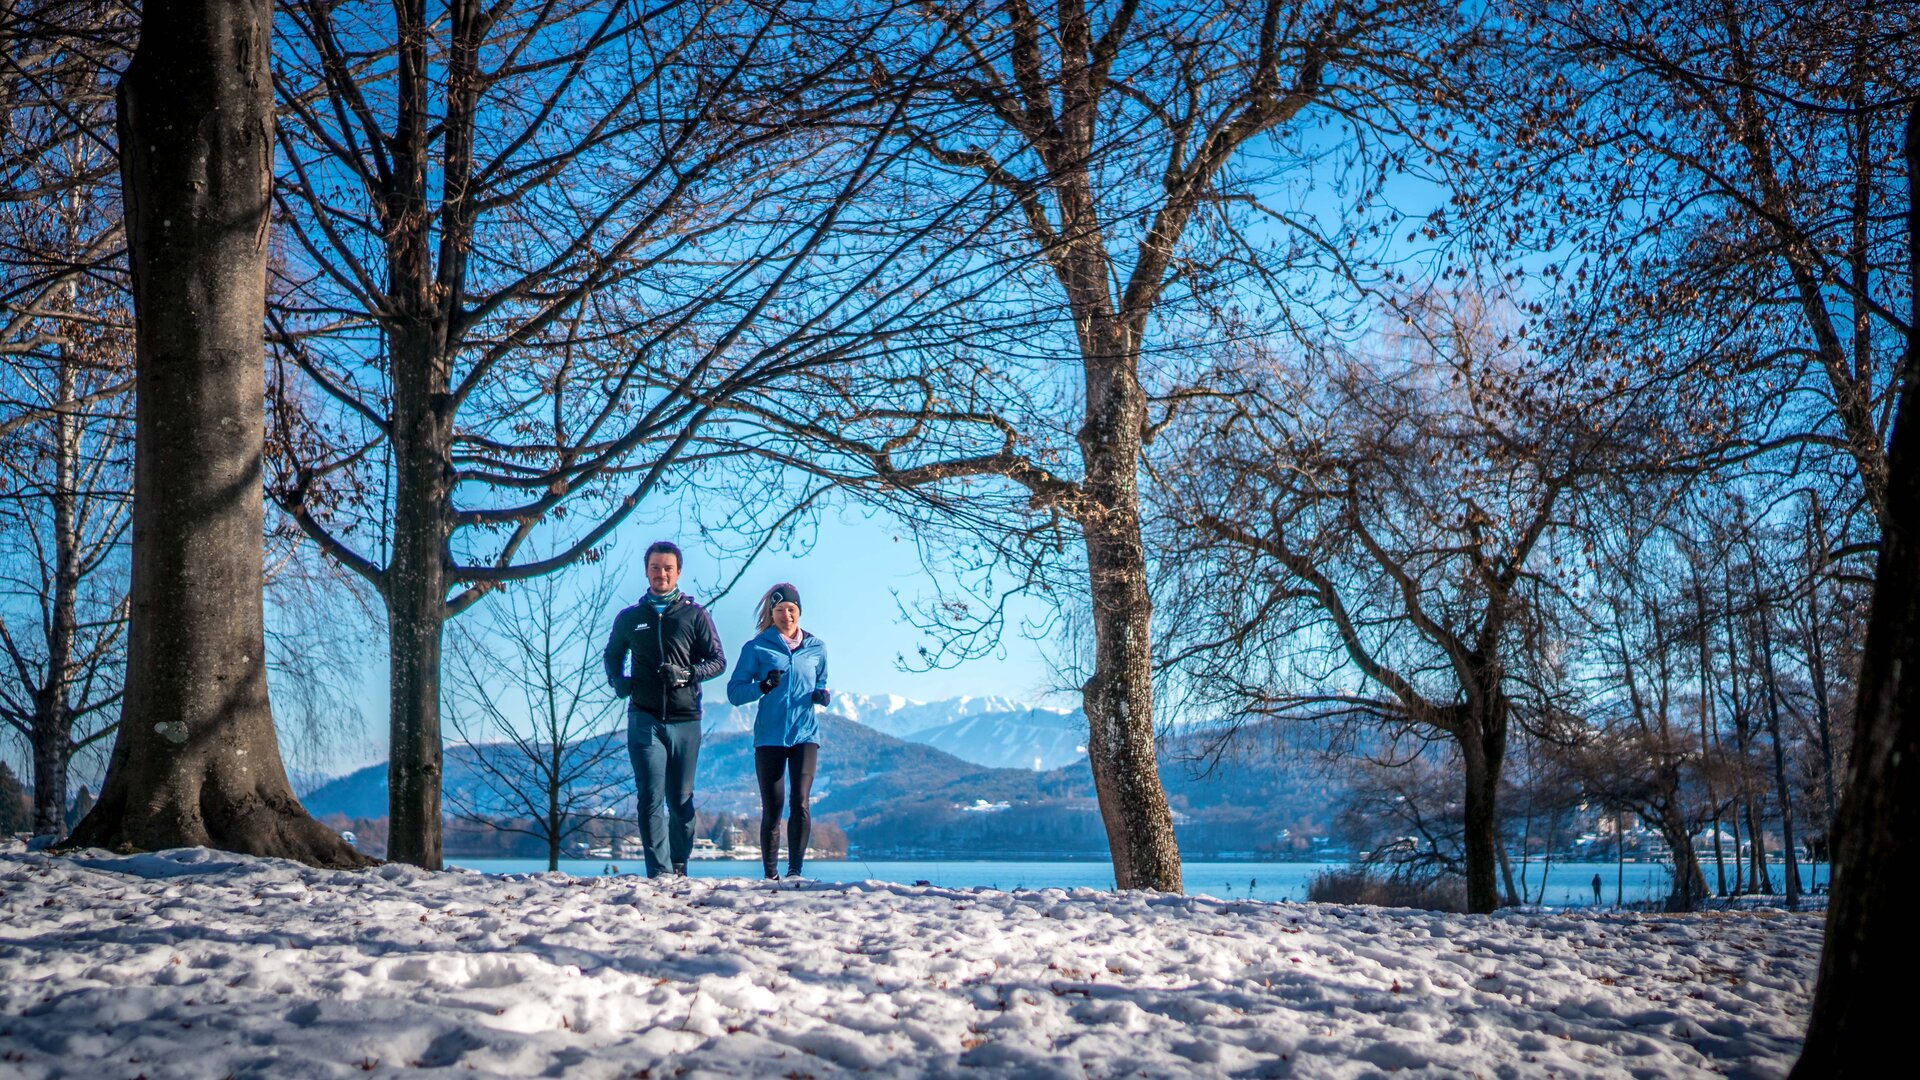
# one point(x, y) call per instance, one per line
point(986, 731)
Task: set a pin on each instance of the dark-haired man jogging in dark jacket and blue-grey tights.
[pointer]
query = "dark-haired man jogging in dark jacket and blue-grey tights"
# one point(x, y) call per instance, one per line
point(675, 649)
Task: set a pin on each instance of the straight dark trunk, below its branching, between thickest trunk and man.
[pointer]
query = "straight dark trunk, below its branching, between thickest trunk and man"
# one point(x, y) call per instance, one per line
point(416, 597)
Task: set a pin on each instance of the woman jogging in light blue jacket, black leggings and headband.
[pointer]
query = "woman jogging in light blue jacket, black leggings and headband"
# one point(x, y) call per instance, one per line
point(786, 672)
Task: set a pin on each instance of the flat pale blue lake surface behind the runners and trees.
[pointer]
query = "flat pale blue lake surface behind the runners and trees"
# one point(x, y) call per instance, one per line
point(1568, 883)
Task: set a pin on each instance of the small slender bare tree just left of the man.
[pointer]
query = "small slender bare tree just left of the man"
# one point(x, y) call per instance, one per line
point(533, 710)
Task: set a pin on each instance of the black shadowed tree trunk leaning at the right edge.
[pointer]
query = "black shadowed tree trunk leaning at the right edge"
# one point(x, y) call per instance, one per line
point(1871, 939)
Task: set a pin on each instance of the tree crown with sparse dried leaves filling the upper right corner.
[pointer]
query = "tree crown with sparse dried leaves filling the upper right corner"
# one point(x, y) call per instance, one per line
point(1731, 157)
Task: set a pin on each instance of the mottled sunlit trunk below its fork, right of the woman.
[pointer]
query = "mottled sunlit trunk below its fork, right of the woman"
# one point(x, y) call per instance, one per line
point(1120, 695)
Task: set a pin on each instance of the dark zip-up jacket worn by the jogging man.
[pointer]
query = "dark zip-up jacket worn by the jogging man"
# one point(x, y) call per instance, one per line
point(684, 637)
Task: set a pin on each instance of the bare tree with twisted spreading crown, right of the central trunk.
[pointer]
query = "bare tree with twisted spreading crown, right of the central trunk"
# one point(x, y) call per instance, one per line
point(1406, 522)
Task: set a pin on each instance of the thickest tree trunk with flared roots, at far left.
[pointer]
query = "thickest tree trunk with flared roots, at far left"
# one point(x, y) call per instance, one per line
point(197, 760)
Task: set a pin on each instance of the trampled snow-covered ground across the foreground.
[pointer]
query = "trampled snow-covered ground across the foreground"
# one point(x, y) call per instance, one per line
point(201, 964)
